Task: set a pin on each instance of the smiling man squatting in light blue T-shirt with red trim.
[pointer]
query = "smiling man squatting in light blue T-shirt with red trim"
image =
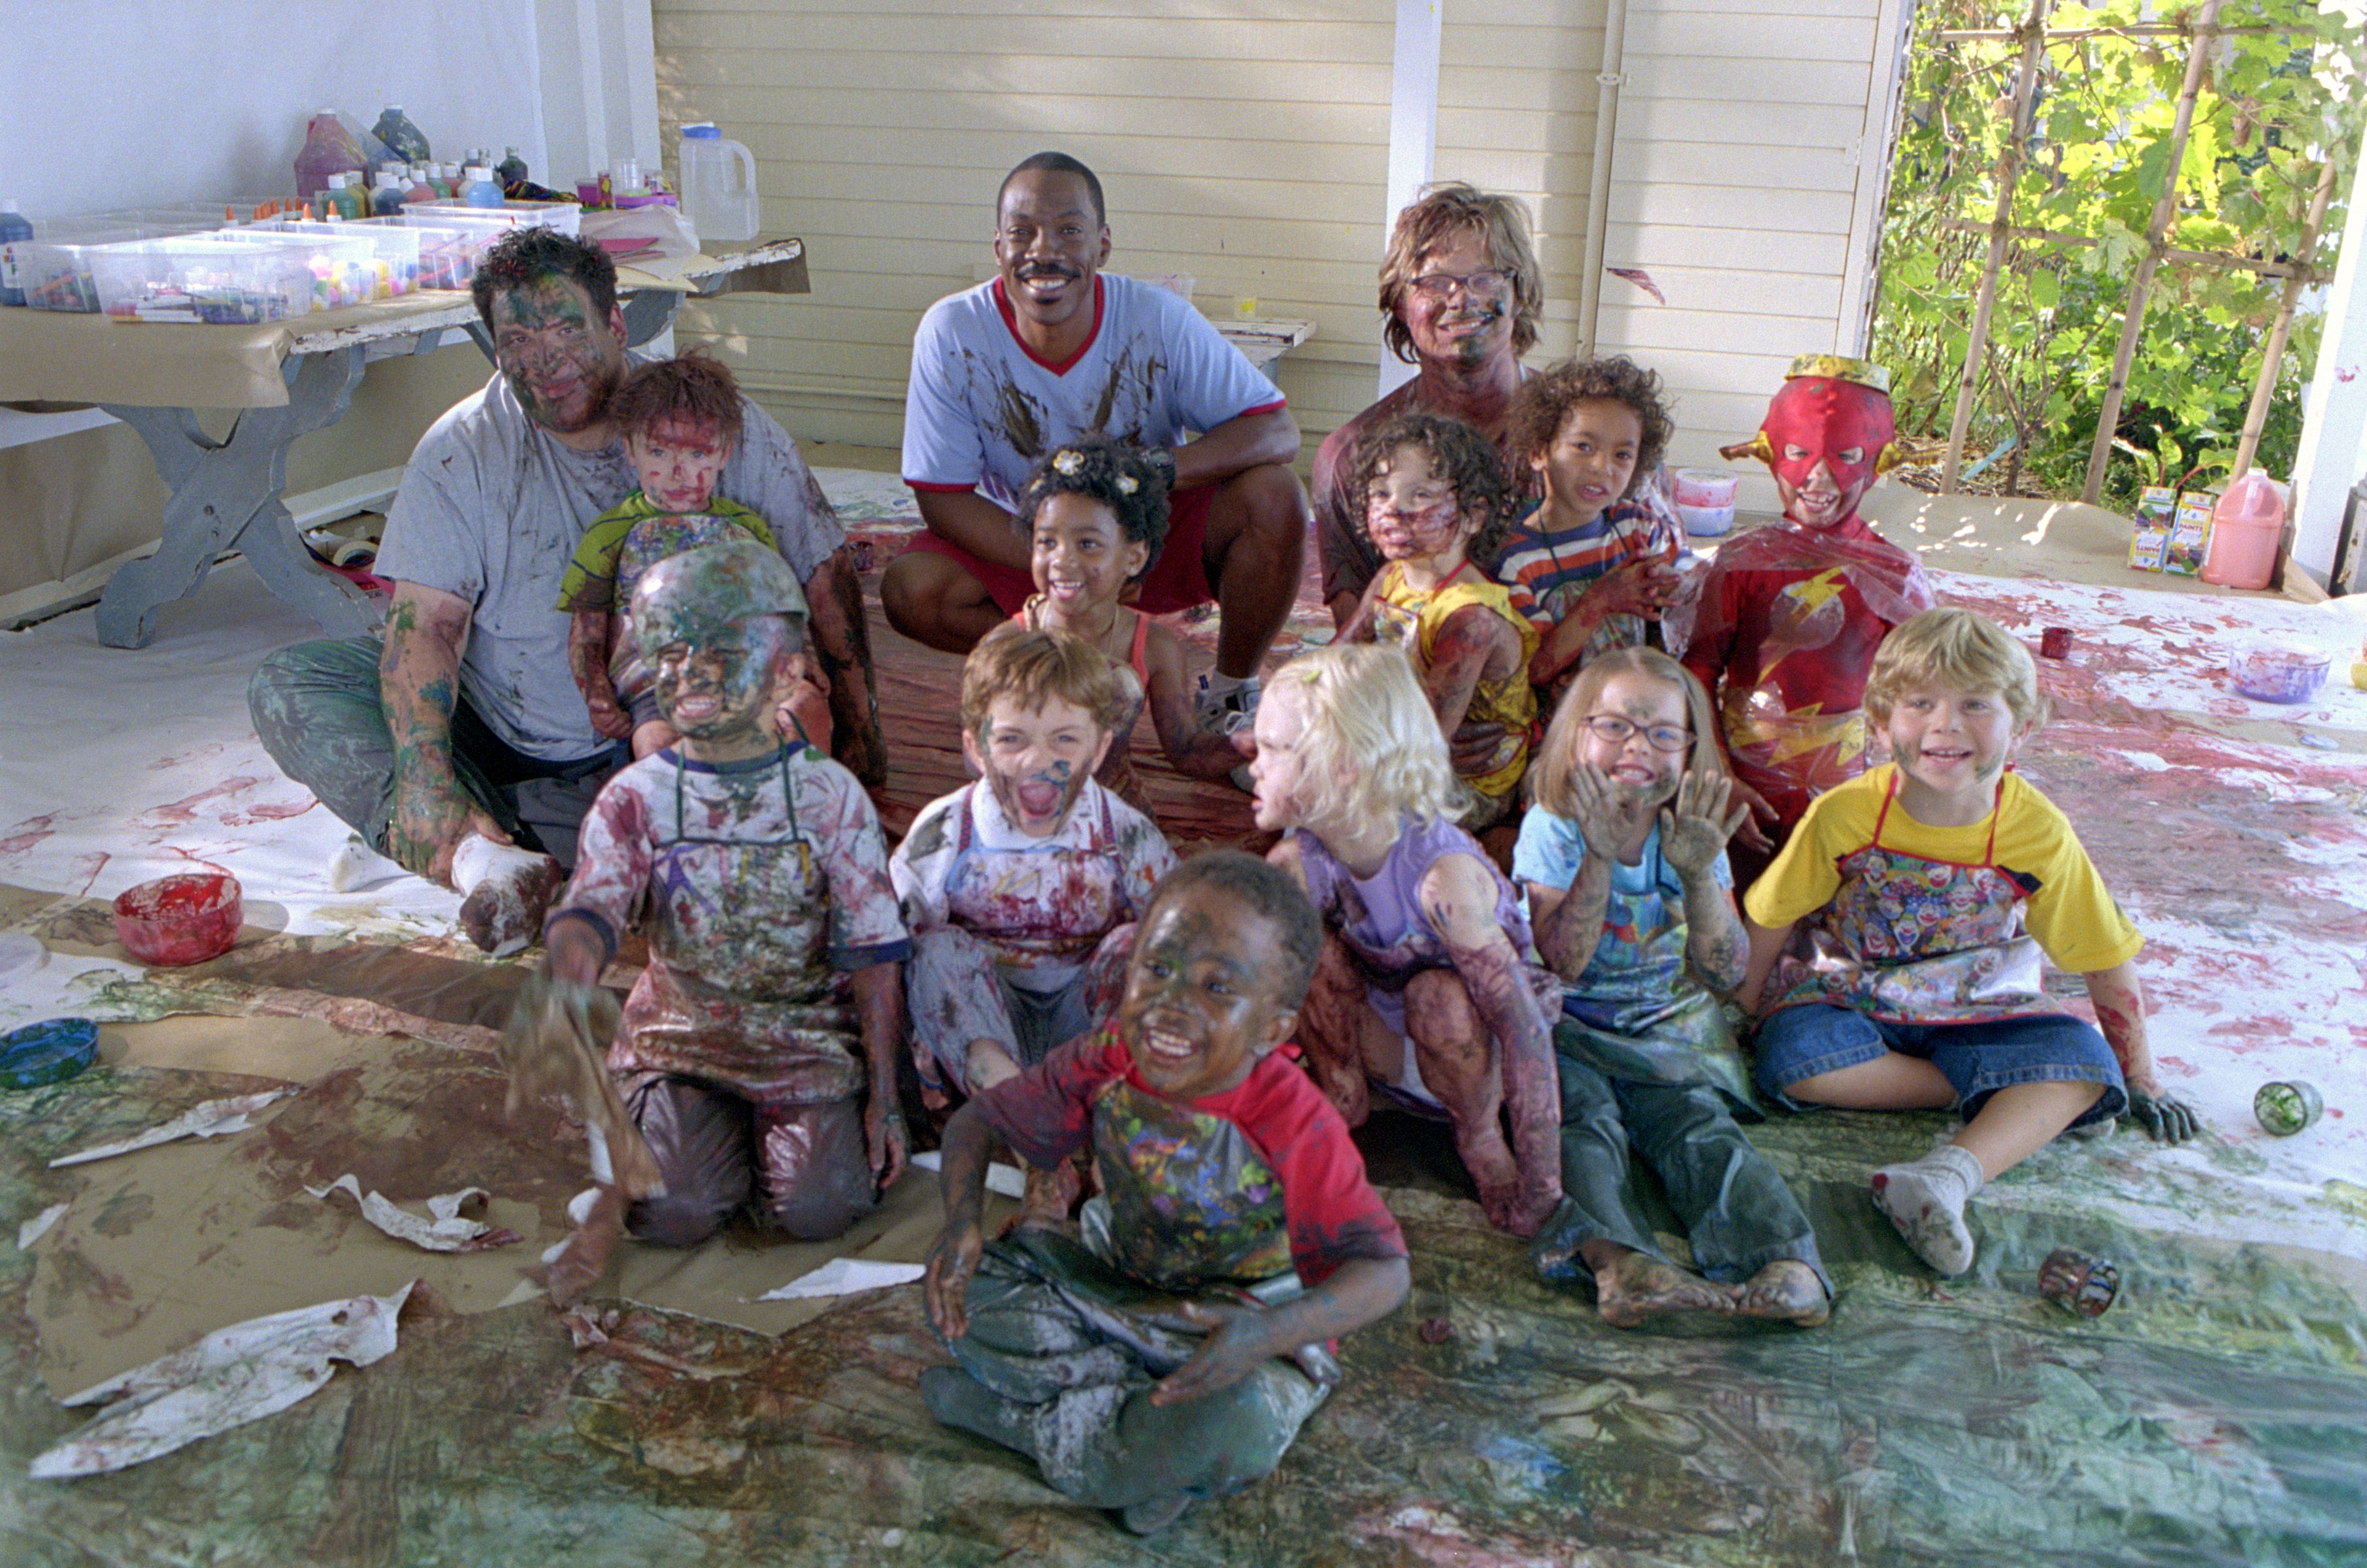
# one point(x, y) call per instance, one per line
point(1054, 349)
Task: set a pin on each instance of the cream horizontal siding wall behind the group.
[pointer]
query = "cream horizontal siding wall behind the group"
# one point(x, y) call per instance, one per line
point(1246, 143)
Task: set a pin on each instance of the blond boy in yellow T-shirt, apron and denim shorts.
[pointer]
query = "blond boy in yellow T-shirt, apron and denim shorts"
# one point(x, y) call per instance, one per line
point(1890, 954)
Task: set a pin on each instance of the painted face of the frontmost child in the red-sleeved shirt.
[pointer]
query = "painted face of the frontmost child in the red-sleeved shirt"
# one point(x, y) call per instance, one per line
point(1204, 999)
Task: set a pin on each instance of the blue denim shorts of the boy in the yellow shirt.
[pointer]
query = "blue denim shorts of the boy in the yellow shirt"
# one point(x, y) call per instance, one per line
point(1978, 1061)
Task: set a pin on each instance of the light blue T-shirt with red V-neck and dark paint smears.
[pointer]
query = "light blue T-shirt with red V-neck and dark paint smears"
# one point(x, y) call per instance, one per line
point(981, 410)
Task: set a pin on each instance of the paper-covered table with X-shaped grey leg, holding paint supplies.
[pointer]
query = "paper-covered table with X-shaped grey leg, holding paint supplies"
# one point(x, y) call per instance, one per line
point(228, 493)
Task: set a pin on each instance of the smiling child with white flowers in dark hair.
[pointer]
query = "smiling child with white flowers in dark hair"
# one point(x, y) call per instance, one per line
point(1097, 514)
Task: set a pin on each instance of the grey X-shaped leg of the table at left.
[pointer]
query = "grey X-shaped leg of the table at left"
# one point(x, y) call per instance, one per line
point(228, 495)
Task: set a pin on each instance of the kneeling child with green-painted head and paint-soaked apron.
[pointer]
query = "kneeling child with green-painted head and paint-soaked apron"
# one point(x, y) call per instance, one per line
point(759, 1047)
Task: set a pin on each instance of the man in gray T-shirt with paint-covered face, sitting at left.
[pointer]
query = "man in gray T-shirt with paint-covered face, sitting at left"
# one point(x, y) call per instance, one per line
point(458, 741)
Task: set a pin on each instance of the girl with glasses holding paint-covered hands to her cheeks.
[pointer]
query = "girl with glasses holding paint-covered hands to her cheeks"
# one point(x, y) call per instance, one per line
point(1625, 860)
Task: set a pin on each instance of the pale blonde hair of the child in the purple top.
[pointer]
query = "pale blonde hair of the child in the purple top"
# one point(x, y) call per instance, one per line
point(1372, 744)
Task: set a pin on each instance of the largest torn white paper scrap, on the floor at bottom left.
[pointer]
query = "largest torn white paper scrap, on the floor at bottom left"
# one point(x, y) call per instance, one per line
point(226, 1380)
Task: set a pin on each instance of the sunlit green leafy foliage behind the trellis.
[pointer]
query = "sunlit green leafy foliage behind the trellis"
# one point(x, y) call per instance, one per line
point(2271, 110)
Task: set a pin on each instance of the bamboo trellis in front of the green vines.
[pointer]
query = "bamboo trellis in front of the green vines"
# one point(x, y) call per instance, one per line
point(2200, 30)
